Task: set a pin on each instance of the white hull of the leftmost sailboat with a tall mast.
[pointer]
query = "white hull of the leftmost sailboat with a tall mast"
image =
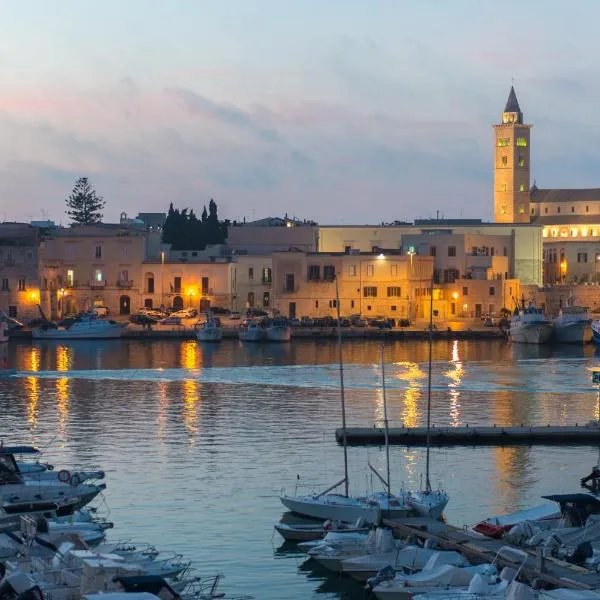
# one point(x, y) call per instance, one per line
point(331, 508)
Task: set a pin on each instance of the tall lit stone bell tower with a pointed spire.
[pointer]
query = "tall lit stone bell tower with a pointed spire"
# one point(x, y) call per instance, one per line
point(511, 165)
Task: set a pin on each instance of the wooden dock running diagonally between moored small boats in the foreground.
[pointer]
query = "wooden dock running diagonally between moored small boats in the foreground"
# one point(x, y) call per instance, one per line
point(538, 570)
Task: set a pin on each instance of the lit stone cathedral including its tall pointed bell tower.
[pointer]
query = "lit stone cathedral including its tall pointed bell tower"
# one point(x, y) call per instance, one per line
point(570, 218)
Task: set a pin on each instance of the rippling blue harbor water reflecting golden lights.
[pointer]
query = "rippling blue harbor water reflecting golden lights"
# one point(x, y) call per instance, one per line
point(199, 441)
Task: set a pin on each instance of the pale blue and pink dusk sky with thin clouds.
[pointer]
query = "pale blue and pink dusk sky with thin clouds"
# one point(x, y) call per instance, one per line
point(339, 111)
